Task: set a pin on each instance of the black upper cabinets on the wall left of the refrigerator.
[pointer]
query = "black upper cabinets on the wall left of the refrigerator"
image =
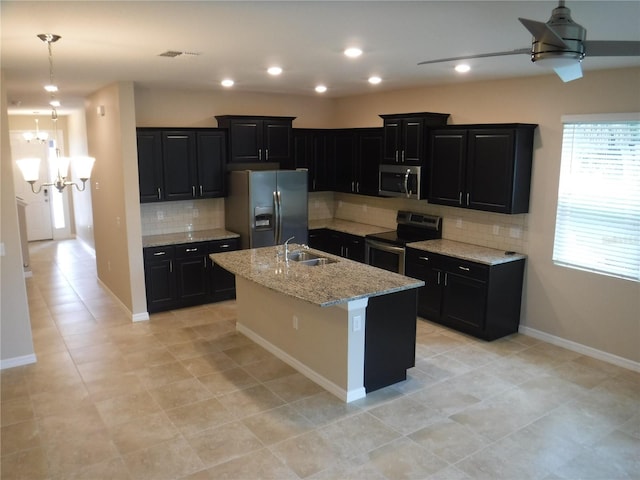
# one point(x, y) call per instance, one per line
point(181, 164)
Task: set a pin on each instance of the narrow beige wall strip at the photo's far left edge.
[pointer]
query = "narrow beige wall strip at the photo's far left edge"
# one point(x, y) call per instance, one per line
point(16, 344)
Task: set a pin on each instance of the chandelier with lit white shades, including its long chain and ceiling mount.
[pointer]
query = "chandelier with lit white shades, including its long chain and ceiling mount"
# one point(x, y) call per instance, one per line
point(30, 167)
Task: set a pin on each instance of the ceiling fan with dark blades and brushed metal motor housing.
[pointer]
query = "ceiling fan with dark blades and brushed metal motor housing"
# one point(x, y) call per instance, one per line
point(561, 45)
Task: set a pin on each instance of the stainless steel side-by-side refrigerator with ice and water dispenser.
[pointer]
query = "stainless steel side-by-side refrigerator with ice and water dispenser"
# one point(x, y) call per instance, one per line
point(266, 207)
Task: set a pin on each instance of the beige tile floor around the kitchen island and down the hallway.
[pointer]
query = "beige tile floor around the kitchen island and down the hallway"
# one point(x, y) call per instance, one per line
point(183, 396)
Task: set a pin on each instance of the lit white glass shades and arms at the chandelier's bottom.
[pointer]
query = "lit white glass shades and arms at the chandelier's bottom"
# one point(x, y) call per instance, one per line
point(30, 168)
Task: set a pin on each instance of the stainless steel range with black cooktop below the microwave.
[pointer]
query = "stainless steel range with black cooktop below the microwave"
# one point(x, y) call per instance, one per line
point(387, 249)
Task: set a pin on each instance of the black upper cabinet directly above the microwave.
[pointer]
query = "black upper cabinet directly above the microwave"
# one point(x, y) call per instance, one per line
point(405, 136)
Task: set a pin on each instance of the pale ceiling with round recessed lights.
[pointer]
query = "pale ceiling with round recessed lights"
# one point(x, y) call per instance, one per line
point(107, 41)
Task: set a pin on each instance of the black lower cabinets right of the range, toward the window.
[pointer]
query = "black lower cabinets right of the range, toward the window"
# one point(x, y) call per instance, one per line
point(478, 299)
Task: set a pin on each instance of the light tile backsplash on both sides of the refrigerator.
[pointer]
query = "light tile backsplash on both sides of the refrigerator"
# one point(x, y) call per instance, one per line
point(504, 232)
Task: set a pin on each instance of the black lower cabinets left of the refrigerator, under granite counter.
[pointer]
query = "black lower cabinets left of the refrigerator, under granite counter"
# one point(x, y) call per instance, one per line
point(183, 275)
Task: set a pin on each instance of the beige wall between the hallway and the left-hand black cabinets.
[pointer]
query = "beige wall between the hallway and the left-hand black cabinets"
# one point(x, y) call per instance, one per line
point(116, 199)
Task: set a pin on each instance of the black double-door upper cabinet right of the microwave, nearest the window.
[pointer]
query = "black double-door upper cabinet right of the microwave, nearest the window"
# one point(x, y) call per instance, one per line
point(483, 167)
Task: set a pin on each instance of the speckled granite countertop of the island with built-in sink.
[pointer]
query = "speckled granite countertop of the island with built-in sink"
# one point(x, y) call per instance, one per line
point(323, 285)
